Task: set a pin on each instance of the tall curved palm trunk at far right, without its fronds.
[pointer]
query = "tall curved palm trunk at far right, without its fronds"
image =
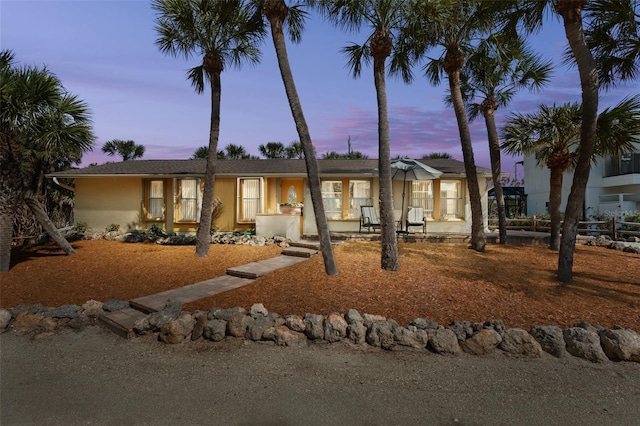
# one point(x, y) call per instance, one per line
point(589, 83)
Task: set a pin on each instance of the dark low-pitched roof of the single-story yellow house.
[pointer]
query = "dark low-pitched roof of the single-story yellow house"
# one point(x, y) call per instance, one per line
point(250, 168)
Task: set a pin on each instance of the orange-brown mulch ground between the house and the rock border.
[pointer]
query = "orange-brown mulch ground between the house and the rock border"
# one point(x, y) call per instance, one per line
point(442, 282)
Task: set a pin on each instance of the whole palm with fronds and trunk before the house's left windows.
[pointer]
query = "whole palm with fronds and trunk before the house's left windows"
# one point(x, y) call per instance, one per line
point(222, 33)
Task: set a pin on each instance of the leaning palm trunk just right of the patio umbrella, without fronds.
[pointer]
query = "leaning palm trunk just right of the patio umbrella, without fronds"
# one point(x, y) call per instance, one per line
point(478, 241)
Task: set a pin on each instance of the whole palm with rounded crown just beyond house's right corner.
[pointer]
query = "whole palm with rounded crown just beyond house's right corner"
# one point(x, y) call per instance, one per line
point(493, 73)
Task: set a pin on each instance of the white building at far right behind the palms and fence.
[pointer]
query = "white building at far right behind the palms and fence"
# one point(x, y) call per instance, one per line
point(613, 188)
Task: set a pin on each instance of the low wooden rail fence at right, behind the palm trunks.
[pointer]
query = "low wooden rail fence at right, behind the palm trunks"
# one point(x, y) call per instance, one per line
point(614, 228)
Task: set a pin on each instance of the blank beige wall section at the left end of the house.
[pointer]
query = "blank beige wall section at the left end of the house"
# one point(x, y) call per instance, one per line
point(101, 202)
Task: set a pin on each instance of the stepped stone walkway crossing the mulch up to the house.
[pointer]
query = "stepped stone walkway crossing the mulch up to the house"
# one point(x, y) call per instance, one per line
point(121, 322)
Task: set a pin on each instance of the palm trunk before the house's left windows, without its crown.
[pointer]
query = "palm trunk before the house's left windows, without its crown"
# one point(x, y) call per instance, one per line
point(204, 237)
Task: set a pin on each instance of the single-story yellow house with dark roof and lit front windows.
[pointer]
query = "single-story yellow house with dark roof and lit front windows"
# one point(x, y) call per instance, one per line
point(168, 193)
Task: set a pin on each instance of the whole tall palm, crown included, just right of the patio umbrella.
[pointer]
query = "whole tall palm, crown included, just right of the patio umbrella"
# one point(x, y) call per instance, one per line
point(452, 27)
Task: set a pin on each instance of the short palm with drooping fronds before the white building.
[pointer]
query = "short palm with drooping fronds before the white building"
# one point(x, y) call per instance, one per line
point(553, 134)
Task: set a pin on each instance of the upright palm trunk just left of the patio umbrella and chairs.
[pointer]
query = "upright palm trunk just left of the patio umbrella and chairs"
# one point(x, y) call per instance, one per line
point(389, 254)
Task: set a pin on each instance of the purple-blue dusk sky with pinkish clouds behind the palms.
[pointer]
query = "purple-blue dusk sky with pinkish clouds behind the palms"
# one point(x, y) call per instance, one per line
point(104, 52)
